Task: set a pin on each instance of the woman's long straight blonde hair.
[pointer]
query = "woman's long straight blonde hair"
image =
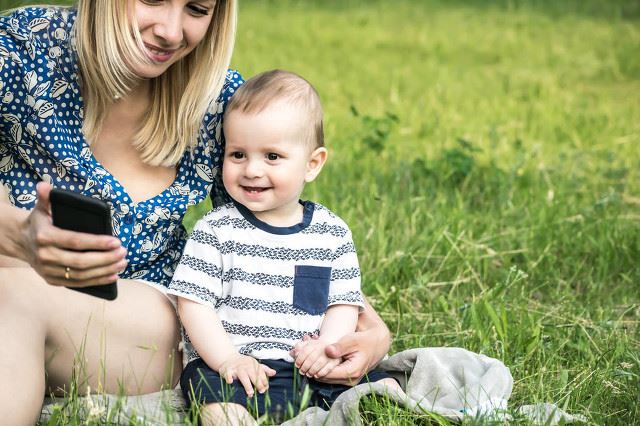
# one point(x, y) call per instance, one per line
point(180, 97)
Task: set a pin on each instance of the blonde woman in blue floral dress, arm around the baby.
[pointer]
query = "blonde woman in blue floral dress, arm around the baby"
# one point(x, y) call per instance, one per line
point(121, 101)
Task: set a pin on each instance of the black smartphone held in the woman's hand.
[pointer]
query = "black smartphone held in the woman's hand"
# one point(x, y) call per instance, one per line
point(77, 212)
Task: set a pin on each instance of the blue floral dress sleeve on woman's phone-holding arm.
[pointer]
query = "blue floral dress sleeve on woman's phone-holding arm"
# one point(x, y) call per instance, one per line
point(34, 47)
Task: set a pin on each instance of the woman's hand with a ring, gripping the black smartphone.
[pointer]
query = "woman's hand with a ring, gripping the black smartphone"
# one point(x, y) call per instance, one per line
point(68, 258)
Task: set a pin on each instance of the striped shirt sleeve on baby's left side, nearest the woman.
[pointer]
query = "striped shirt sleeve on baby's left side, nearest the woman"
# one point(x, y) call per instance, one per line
point(198, 276)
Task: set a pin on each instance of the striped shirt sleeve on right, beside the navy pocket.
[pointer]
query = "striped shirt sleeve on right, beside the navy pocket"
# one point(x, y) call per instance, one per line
point(344, 287)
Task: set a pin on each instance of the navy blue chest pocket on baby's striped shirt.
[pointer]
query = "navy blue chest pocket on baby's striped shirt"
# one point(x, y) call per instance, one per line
point(311, 288)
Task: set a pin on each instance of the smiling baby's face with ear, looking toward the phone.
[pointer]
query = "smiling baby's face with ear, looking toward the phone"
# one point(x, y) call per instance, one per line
point(267, 161)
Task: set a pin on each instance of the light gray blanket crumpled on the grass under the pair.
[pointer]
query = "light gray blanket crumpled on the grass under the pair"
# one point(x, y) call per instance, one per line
point(449, 382)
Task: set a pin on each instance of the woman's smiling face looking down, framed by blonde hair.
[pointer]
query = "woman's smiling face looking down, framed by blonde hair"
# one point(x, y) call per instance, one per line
point(170, 29)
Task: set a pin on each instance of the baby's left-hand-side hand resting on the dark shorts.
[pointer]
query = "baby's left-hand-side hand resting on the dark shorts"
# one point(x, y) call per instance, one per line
point(248, 371)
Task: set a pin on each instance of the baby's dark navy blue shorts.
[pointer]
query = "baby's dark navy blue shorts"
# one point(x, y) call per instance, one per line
point(201, 385)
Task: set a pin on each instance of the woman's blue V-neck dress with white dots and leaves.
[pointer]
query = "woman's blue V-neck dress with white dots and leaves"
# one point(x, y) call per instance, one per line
point(41, 139)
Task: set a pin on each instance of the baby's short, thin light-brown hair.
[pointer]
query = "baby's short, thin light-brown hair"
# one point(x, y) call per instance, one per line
point(262, 90)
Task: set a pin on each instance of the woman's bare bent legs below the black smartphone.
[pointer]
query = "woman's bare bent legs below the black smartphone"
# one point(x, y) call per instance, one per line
point(127, 345)
